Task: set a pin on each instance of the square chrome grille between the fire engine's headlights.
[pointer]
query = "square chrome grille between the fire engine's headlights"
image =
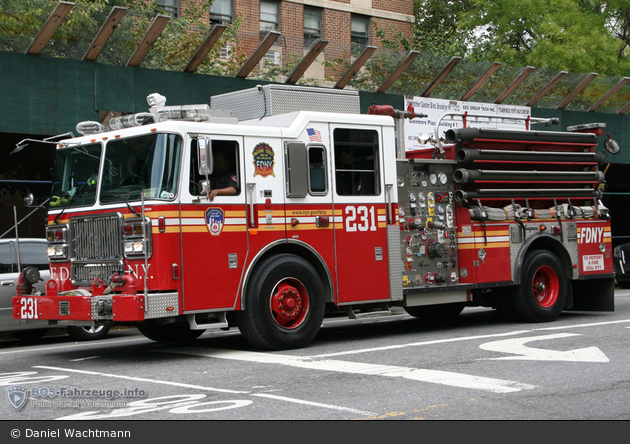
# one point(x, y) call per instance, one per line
point(97, 238)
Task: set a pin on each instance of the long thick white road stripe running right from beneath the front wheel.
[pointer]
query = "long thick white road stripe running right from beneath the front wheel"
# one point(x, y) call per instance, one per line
point(424, 375)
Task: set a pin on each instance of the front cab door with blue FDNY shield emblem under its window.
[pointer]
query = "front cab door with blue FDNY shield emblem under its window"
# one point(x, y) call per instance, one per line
point(213, 232)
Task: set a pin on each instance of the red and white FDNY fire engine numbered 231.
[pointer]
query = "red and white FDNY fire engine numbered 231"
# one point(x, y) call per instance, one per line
point(273, 207)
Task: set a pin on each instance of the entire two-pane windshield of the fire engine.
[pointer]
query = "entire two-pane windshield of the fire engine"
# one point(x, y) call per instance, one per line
point(148, 163)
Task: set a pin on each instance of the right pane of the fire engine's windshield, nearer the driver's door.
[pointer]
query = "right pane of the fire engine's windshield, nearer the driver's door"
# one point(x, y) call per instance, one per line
point(148, 163)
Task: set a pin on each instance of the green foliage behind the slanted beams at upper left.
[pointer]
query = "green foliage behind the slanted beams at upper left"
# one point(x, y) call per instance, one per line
point(21, 20)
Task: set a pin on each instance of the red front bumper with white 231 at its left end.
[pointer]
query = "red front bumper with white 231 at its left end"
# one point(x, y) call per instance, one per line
point(116, 307)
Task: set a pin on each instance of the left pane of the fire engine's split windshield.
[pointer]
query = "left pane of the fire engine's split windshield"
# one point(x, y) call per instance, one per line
point(75, 176)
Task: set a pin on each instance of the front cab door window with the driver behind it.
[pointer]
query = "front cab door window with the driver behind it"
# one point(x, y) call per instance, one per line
point(224, 167)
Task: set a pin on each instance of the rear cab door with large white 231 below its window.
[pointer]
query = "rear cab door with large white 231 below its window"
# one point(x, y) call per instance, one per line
point(359, 195)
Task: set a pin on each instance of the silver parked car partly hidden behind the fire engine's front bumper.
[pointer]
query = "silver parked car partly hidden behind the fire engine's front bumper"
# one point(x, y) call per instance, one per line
point(32, 253)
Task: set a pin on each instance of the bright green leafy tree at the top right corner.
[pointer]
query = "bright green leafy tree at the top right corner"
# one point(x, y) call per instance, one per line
point(572, 35)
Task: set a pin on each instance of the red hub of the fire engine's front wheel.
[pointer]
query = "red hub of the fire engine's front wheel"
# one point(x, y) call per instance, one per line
point(289, 303)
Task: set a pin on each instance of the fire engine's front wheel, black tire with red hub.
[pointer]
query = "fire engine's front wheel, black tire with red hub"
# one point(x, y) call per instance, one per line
point(284, 304)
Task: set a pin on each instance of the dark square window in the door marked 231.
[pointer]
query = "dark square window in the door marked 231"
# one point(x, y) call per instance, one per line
point(356, 161)
